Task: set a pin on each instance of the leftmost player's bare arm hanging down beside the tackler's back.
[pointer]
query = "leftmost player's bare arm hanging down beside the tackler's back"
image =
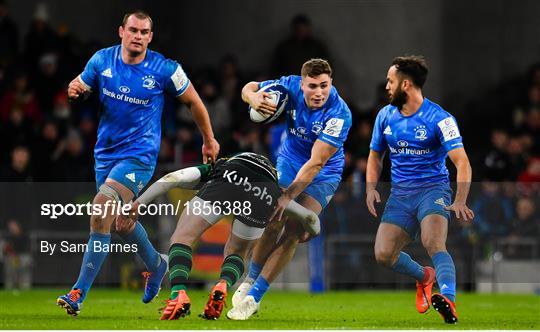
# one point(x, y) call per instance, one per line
point(210, 148)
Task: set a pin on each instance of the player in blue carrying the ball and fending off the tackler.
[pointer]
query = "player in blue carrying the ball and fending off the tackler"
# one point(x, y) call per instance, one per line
point(309, 167)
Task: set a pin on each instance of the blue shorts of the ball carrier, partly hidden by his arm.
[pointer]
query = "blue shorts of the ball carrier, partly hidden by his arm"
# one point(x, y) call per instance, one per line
point(322, 190)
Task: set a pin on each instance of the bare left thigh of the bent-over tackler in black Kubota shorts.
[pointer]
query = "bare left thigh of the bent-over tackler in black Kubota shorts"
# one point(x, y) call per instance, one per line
point(194, 221)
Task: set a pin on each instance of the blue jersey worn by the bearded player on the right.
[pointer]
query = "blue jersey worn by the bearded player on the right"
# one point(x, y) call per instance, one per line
point(418, 144)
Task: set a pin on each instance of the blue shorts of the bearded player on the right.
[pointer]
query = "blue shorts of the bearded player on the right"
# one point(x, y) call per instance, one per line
point(407, 210)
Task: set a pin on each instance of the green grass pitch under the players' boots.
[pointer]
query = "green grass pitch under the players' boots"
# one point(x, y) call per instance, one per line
point(115, 309)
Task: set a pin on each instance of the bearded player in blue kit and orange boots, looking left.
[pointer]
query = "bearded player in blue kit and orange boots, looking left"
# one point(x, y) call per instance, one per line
point(419, 135)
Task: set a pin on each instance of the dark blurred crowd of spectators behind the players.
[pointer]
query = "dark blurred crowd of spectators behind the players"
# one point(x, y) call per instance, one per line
point(44, 138)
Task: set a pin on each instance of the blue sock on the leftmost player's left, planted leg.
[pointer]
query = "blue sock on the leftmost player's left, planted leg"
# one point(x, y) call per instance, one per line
point(92, 260)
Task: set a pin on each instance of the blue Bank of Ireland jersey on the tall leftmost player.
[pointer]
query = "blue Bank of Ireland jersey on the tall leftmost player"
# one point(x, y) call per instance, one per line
point(132, 98)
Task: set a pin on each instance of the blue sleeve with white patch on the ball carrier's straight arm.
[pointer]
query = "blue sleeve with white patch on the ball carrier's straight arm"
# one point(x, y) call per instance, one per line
point(336, 127)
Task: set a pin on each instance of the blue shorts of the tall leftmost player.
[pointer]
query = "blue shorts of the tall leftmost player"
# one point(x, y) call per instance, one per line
point(130, 172)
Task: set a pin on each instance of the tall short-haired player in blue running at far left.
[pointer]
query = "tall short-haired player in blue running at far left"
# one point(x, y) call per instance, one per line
point(131, 81)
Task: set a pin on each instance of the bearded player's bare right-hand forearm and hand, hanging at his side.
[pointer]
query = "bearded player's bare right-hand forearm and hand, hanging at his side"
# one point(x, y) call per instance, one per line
point(463, 177)
